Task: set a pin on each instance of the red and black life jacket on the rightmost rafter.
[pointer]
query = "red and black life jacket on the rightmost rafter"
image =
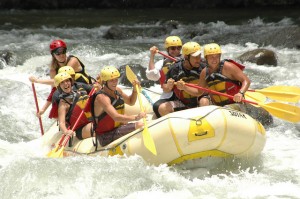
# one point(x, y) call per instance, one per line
point(218, 82)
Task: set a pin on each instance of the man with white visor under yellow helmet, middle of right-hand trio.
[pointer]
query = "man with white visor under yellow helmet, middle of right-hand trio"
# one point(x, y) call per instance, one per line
point(188, 70)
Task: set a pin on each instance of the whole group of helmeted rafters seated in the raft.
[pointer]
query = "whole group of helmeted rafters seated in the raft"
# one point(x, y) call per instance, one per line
point(102, 101)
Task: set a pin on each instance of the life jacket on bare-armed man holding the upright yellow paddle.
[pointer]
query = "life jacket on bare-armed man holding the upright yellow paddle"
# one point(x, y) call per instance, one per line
point(104, 122)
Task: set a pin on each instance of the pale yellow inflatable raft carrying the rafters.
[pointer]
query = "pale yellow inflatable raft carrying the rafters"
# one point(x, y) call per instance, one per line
point(191, 134)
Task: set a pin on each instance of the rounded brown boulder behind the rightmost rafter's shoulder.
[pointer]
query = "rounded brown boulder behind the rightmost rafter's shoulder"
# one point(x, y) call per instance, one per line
point(260, 57)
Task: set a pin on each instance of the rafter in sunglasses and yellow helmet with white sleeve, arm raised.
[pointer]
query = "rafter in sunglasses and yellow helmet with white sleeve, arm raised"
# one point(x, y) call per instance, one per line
point(157, 71)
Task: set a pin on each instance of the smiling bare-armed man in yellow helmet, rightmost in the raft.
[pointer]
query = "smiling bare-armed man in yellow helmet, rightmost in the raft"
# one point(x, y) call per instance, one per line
point(223, 76)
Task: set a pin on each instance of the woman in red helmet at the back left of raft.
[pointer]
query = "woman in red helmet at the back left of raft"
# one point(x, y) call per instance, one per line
point(58, 50)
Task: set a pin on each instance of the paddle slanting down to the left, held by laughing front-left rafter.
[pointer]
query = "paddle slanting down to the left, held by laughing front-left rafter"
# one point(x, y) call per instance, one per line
point(57, 152)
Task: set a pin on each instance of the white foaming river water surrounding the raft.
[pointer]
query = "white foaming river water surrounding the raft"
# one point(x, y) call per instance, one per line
point(25, 172)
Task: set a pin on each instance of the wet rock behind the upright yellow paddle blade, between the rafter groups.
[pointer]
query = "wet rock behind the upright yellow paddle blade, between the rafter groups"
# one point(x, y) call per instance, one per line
point(139, 71)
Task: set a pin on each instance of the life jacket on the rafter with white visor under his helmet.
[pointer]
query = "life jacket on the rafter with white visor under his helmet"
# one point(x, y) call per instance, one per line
point(178, 72)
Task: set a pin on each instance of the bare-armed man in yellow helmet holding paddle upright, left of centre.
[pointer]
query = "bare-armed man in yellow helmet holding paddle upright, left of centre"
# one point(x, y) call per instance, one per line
point(110, 122)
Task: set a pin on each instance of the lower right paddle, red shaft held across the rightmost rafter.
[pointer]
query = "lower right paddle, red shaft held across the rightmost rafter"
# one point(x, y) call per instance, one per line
point(284, 111)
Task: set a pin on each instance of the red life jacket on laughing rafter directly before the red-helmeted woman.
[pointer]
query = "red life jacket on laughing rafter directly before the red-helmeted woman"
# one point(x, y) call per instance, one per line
point(78, 104)
